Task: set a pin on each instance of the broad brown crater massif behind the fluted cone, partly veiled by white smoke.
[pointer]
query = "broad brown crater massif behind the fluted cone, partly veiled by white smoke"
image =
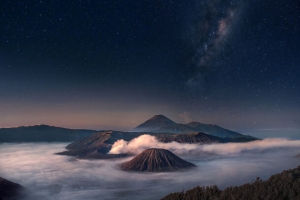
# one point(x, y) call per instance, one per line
point(99, 144)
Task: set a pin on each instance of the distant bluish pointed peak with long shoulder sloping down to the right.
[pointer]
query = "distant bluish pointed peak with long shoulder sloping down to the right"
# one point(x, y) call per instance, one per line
point(162, 124)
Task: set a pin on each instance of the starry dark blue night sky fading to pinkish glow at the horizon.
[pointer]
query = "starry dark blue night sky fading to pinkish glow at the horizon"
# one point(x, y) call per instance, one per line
point(114, 64)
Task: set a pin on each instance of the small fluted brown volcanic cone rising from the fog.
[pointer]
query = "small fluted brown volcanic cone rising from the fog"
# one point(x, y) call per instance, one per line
point(156, 160)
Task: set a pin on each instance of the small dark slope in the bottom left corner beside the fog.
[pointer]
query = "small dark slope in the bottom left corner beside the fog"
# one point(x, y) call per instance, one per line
point(10, 190)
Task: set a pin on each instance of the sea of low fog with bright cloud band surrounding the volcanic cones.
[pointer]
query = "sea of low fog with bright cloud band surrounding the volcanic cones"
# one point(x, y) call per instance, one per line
point(50, 176)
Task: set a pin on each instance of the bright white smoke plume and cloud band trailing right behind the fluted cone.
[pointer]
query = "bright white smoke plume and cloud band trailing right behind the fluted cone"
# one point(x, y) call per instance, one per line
point(144, 142)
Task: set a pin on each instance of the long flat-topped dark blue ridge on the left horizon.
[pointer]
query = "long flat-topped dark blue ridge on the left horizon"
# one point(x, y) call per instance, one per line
point(42, 133)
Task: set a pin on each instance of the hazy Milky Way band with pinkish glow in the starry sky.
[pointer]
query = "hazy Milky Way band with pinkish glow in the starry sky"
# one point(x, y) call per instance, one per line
point(210, 33)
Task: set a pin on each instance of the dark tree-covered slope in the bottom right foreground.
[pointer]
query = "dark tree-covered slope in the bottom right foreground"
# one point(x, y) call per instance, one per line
point(285, 185)
